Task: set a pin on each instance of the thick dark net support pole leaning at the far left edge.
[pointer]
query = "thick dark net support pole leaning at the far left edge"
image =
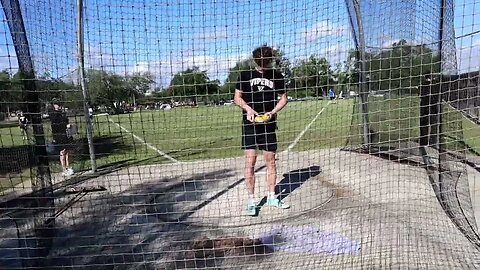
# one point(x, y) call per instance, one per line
point(37, 241)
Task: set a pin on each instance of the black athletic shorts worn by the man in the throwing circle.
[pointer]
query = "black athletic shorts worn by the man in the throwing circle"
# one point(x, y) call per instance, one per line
point(259, 136)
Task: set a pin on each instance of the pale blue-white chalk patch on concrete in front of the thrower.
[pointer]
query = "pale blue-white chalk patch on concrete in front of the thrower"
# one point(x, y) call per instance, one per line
point(307, 239)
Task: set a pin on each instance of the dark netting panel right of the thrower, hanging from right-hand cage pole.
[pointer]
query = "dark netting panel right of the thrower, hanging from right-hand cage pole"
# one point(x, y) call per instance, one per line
point(413, 103)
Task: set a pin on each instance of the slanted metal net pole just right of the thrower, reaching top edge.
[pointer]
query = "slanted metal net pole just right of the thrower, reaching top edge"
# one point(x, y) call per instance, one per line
point(360, 43)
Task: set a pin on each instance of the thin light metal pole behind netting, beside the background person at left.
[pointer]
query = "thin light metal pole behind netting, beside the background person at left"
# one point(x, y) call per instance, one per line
point(81, 77)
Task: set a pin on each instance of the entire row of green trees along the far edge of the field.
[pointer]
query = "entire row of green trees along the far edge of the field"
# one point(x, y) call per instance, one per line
point(398, 68)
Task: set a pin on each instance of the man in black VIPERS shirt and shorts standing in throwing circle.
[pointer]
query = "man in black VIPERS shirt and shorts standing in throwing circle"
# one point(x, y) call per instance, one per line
point(261, 92)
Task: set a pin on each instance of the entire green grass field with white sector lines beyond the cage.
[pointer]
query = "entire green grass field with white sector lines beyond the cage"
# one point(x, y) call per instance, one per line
point(186, 134)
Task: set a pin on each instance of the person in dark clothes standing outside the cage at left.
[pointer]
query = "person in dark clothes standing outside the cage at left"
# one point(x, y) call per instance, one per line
point(62, 139)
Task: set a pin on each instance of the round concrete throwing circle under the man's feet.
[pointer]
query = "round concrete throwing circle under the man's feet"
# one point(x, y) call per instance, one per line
point(302, 193)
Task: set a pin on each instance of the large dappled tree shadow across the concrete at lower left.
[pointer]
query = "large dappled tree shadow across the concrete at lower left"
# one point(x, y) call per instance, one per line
point(125, 229)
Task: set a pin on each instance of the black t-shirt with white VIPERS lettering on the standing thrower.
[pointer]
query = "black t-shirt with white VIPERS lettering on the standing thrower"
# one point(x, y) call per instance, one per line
point(260, 90)
